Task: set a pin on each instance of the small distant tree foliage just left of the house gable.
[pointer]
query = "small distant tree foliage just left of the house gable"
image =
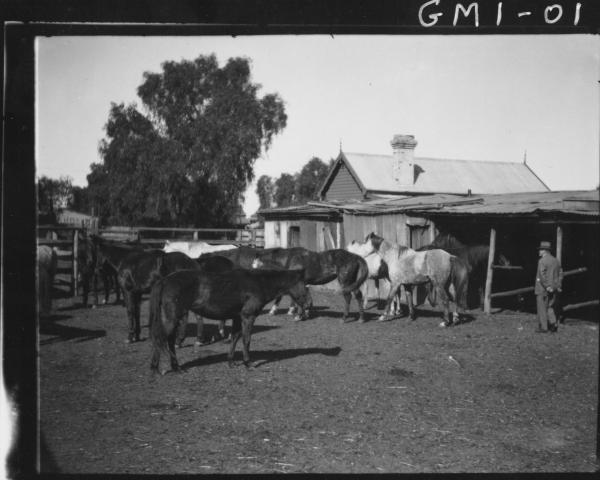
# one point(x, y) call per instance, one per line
point(293, 189)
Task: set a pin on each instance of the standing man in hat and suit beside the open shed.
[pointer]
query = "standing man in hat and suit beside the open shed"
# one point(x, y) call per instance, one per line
point(547, 288)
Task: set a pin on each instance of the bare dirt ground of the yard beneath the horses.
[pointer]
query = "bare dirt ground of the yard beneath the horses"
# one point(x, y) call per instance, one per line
point(489, 395)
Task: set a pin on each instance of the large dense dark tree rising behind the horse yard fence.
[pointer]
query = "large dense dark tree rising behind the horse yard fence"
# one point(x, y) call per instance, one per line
point(189, 156)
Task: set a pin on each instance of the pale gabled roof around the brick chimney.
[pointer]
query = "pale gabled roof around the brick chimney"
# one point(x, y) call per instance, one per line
point(374, 173)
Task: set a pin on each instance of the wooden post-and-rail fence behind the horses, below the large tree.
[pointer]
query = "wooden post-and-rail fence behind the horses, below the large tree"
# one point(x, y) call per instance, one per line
point(66, 238)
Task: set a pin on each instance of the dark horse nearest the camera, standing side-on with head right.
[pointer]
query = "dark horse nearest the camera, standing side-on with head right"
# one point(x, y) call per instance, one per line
point(238, 294)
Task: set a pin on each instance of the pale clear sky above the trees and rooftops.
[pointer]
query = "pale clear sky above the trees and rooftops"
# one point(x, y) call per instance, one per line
point(475, 97)
